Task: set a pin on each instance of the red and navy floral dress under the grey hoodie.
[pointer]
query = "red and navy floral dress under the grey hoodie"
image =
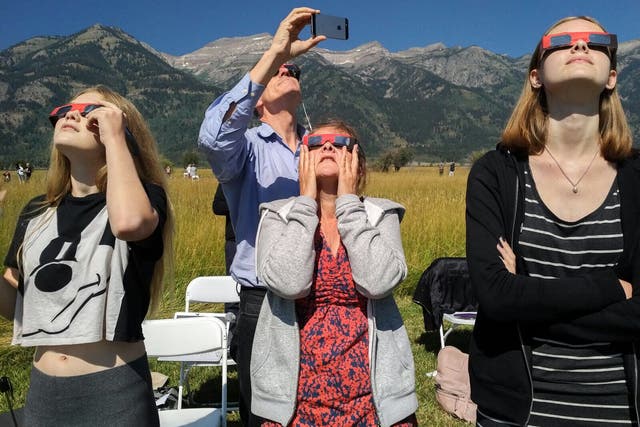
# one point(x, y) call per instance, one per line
point(334, 384)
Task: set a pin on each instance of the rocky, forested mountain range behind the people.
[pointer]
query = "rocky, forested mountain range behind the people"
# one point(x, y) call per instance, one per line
point(443, 102)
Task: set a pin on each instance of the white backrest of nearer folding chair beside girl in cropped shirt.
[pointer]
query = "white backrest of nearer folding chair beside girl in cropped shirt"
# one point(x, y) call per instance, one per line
point(182, 337)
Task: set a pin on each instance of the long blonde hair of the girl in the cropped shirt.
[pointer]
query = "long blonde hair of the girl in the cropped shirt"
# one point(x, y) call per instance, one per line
point(149, 170)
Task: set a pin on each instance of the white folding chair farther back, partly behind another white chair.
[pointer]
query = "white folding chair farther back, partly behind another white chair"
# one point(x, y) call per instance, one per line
point(211, 289)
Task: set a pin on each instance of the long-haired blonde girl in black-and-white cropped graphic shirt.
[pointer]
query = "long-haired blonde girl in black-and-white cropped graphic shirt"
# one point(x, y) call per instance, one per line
point(87, 262)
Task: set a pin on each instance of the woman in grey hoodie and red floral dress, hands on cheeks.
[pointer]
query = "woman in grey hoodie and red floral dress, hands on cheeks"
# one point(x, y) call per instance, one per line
point(330, 338)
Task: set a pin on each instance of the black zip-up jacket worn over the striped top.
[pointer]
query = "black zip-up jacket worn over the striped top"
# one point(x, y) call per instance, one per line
point(588, 308)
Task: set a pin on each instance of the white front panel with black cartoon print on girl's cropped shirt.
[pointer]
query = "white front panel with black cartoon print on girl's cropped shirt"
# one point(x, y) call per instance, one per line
point(68, 280)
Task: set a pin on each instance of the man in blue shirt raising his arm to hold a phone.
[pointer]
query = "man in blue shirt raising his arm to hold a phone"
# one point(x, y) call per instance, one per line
point(257, 165)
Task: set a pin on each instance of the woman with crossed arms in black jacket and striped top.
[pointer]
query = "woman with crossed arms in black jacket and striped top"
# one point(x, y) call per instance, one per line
point(552, 245)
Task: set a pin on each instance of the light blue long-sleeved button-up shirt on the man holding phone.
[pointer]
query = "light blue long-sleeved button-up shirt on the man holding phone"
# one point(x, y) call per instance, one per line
point(253, 166)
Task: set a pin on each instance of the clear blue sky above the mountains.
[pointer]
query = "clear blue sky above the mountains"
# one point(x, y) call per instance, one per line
point(511, 27)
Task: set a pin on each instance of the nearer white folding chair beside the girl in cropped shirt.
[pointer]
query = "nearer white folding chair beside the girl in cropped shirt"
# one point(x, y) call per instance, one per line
point(186, 338)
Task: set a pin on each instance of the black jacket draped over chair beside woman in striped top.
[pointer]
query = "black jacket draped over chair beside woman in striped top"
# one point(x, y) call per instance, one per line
point(444, 287)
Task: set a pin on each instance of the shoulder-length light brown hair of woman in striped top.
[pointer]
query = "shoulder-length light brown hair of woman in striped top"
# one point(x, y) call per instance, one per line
point(526, 130)
